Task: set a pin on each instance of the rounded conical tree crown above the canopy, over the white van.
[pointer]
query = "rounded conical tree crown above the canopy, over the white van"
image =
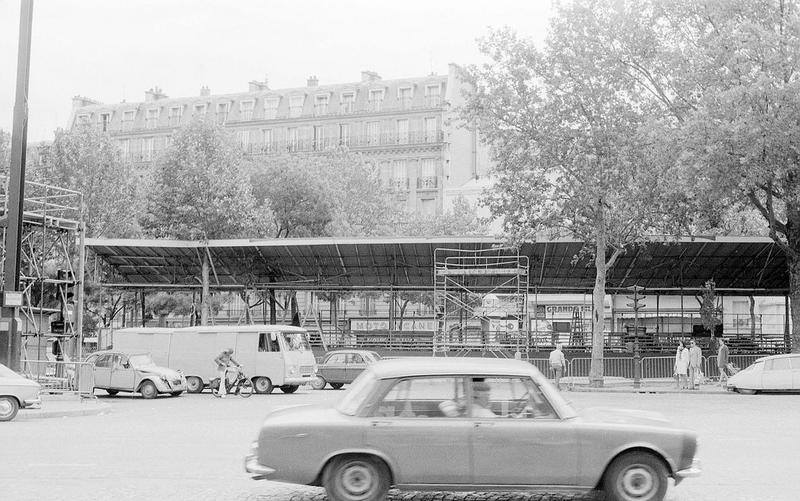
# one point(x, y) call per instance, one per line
point(199, 188)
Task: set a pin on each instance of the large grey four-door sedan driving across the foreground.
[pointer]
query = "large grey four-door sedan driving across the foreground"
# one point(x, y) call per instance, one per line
point(468, 424)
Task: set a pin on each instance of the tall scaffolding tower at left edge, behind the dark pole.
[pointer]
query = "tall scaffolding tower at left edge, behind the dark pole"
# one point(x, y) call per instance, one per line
point(52, 235)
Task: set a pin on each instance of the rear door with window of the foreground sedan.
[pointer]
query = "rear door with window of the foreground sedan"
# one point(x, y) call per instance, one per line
point(422, 444)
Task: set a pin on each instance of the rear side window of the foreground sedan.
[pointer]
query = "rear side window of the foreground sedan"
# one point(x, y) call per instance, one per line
point(420, 397)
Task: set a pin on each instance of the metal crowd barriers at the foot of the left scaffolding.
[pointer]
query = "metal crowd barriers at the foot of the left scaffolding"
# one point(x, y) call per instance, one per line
point(60, 376)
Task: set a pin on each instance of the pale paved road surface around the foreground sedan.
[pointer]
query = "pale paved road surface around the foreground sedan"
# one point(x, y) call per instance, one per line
point(191, 448)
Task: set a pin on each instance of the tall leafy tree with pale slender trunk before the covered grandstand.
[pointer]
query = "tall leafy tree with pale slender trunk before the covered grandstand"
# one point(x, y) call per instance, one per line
point(565, 134)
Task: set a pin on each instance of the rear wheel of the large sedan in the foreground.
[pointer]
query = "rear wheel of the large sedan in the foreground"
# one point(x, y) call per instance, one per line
point(356, 478)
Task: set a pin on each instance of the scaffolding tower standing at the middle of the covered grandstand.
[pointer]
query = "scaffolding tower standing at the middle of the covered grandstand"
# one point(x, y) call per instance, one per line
point(463, 282)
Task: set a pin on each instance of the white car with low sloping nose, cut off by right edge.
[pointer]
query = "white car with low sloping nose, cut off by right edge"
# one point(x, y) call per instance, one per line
point(773, 373)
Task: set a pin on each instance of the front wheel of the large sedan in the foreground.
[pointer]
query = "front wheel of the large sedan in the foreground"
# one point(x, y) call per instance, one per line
point(636, 476)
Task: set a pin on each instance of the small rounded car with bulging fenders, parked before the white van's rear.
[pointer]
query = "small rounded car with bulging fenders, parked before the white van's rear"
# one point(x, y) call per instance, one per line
point(116, 371)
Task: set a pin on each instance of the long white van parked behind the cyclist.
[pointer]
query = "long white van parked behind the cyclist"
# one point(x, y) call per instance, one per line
point(271, 355)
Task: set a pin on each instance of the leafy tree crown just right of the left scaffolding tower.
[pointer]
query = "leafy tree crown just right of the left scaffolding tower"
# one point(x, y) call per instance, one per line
point(89, 162)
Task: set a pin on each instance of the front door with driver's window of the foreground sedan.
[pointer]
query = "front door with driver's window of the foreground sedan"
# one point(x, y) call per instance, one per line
point(525, 442)
